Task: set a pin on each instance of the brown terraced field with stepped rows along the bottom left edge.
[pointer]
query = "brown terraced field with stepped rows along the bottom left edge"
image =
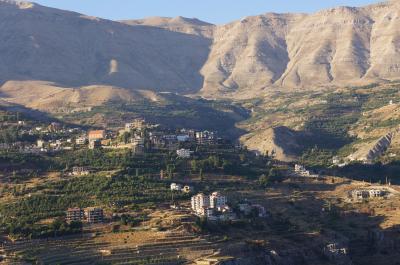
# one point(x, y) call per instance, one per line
point(172, 249)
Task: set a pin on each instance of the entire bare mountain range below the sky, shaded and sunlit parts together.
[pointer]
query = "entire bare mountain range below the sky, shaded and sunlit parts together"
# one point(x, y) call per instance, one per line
point(336, 47)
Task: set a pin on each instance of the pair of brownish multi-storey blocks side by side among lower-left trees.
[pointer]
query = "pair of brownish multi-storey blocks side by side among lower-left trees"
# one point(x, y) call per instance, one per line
point(91, 215)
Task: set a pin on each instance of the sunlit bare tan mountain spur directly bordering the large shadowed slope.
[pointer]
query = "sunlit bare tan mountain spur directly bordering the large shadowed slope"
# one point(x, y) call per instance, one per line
point(247, 55)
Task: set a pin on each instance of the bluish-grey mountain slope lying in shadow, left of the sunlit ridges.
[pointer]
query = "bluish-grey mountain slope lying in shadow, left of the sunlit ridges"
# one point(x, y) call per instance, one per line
point(39, 43)
